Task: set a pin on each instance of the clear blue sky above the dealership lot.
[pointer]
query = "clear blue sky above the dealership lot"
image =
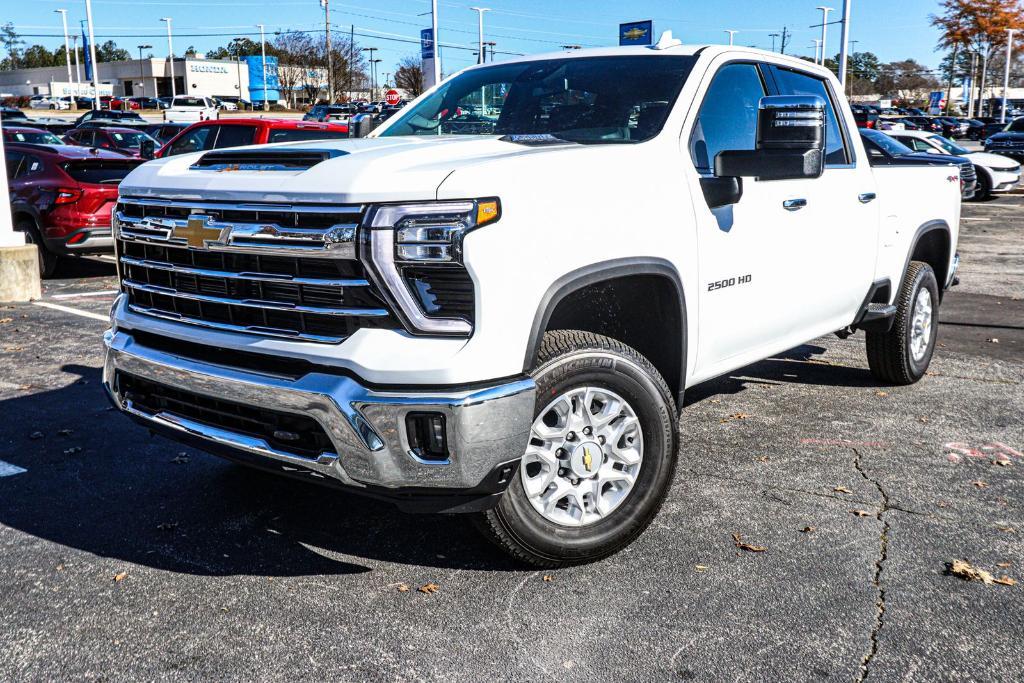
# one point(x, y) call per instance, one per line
point(891, 30)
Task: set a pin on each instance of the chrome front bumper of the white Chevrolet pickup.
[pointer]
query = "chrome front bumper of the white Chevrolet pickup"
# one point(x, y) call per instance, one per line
point(487, 428)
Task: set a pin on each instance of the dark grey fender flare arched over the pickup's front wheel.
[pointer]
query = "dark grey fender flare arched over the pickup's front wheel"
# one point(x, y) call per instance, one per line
point(599, 273)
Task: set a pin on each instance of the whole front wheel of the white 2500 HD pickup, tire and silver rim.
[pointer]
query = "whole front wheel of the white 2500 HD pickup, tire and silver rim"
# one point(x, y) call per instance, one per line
point(602, 455)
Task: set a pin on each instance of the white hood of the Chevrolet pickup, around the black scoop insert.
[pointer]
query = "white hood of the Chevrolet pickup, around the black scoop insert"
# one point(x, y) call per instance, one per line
point(364, 170)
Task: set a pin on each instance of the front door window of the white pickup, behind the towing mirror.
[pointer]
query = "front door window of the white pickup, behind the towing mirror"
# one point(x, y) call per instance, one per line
point(729, 117)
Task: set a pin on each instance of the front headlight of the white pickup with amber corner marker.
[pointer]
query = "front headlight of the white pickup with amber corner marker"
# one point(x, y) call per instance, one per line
point(409, 243)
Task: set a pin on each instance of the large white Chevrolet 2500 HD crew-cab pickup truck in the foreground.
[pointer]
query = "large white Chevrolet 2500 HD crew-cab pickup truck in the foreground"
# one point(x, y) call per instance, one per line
point(495, 303)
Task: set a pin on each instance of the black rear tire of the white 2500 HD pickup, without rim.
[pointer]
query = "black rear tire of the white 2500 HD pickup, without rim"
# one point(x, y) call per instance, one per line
point(889, 354)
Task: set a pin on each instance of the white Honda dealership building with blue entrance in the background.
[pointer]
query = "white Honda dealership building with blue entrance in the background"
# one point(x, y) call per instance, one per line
point(152, 78)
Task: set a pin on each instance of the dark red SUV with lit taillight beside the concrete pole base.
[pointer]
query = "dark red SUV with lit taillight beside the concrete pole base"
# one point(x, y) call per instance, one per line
point(62, 196)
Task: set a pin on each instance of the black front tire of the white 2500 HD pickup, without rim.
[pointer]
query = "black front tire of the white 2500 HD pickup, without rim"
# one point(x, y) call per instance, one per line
point(571, 359)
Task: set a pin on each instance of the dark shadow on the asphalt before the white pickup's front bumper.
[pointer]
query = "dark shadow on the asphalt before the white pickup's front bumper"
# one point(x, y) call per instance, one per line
point(100, 484)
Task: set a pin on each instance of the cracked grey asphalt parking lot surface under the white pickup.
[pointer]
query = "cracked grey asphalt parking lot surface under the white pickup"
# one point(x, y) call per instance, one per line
point(125, 558)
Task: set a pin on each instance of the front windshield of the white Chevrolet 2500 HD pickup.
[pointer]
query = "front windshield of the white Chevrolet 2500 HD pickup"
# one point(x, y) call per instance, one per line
point(583, 100)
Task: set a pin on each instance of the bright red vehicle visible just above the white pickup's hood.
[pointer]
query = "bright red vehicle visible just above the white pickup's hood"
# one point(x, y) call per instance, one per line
point(239, 133)
